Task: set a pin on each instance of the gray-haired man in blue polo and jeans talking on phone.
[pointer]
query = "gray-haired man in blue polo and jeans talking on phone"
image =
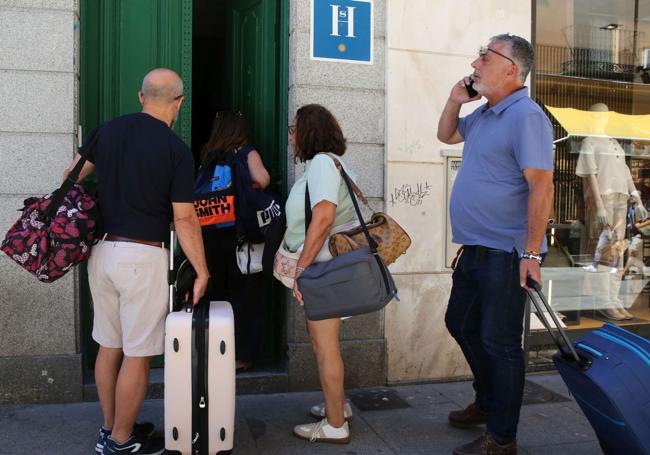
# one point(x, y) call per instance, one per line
point(499, 210)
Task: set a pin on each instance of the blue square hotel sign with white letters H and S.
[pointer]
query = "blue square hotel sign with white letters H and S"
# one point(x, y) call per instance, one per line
point(342, 30)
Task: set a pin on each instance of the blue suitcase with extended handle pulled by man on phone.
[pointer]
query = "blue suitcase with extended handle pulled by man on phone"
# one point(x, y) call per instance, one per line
point(608, 373)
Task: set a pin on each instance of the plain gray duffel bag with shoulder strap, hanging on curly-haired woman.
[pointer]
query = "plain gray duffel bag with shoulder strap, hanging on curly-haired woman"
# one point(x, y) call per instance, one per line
point(353, 283)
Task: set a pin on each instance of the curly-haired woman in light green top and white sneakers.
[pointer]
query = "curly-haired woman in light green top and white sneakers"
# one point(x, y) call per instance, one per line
point(315, 136)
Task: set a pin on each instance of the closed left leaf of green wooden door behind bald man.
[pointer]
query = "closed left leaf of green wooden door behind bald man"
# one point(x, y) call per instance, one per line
point(121, 41)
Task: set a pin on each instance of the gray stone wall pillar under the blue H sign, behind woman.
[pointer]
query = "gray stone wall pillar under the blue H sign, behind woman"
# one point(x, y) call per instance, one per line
point(356, 96)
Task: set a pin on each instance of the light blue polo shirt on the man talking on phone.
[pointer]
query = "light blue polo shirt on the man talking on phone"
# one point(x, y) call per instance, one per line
point(489, 200)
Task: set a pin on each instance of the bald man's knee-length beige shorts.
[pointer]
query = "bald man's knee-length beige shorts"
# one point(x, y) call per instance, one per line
point(128, 282)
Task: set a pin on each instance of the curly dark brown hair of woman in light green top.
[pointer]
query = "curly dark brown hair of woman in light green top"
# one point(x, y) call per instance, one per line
point(317, 131)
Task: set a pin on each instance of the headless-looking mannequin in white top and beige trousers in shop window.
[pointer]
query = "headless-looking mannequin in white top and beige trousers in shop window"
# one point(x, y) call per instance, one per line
point(602, 164)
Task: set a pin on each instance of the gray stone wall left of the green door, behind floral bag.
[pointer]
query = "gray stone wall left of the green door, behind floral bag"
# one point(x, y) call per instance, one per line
point(39, 74)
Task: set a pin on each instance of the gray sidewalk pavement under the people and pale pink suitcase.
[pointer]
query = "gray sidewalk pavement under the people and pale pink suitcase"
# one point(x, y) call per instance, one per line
point(408, 419)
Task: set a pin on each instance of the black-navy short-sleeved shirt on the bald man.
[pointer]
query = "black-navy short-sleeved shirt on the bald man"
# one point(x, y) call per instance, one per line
point(141, 168)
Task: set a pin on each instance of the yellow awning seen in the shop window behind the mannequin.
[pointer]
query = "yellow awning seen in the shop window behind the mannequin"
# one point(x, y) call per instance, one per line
point(607, 124)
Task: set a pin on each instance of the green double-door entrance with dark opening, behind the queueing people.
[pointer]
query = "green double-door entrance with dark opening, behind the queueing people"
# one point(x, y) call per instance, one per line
point(231, 54)
